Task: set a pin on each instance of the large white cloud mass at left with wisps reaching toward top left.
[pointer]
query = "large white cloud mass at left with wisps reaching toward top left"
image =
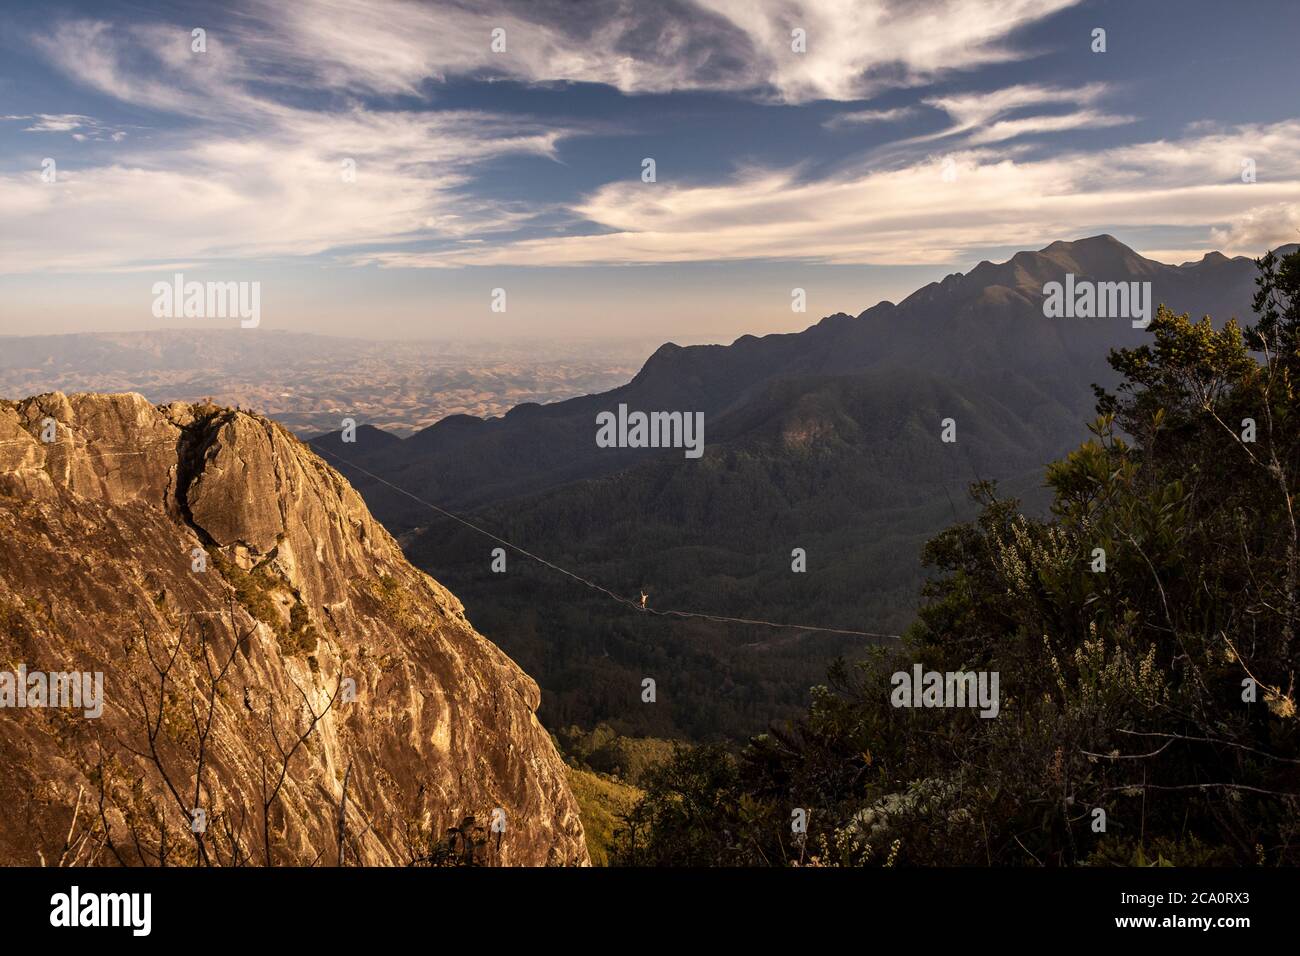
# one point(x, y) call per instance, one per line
point(254, 178)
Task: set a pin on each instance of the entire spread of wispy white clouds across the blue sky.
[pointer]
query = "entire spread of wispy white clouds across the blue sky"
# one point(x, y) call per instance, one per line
point(248, 161)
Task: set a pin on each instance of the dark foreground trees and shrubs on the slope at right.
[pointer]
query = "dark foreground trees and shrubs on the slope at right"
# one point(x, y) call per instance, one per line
point(1147, 711)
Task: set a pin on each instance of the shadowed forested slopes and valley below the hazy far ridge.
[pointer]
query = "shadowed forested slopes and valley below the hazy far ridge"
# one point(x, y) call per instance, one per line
point(846, 468)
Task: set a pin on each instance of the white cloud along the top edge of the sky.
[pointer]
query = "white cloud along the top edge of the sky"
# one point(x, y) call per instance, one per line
point(855, 47)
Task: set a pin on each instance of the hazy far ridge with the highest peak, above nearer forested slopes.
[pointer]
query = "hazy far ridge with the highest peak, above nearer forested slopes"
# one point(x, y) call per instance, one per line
point(961, 326)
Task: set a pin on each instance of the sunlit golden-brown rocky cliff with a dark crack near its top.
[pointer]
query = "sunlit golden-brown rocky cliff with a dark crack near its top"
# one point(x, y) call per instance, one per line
point(279, 684)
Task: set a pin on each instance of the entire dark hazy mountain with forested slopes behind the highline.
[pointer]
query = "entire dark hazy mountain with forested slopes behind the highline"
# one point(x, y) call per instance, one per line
point(829, 440)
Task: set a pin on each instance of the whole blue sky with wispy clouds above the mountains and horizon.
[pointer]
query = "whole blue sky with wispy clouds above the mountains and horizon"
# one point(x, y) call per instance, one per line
point(908, 141)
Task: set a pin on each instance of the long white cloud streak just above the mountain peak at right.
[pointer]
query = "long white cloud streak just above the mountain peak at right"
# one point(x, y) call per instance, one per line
point(912, 215)
